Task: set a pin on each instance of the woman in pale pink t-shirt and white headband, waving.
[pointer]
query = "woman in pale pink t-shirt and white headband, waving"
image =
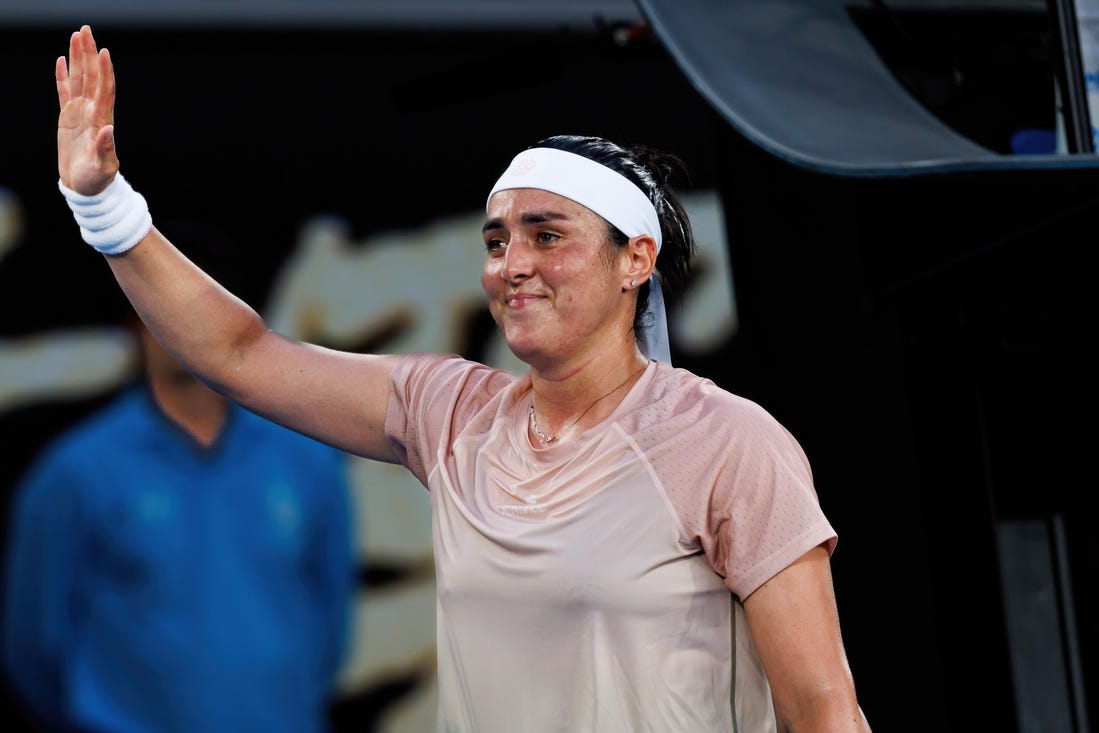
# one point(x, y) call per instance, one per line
point(620, 546)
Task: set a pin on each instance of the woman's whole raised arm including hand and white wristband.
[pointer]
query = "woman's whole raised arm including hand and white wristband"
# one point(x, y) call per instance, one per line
point(337, 397)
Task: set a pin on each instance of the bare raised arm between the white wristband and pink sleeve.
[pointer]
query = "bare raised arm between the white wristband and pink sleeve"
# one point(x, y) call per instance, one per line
point(337, 397)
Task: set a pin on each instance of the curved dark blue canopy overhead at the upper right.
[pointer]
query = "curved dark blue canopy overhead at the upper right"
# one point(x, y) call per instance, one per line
point(807, 80)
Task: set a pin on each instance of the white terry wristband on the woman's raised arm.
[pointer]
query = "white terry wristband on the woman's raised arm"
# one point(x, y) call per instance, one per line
point(114, 220)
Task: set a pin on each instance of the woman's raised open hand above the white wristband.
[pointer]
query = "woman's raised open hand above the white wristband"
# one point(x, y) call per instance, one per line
point(86, 157)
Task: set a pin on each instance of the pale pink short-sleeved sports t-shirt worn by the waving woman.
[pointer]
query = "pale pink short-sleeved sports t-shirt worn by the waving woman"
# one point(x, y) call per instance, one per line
point(585, 586)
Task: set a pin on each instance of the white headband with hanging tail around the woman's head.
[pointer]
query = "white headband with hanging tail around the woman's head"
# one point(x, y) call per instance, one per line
point(610, 195)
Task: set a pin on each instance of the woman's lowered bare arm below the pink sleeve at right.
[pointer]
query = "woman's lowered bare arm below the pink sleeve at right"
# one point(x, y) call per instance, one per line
point(796, 629)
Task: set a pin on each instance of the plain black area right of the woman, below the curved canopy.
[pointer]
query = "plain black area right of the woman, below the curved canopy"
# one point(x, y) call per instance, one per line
point(931, 340)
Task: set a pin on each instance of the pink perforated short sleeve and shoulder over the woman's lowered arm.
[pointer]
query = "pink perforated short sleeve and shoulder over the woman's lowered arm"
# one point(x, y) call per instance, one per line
point(738, 481)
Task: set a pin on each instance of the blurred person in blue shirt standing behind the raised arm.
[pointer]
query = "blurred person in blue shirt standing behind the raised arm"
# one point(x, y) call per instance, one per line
point(180, 564)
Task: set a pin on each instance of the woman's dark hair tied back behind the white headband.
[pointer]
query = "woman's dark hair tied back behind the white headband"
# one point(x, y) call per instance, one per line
point(652, 171)
